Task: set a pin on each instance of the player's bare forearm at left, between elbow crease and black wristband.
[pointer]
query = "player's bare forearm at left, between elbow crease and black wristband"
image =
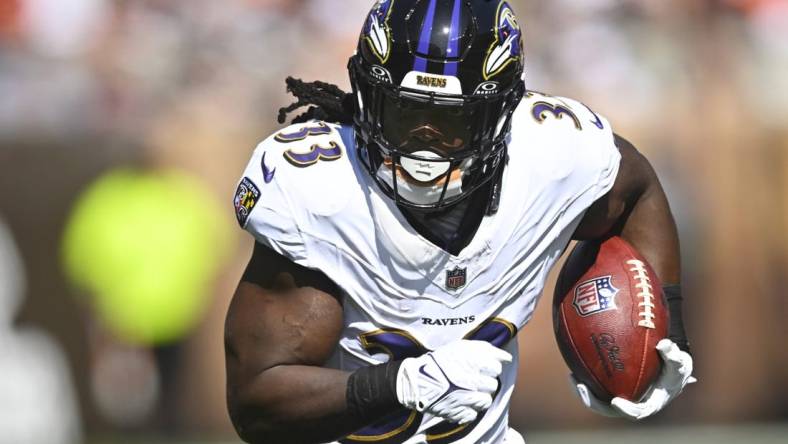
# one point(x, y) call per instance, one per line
point(295, 404)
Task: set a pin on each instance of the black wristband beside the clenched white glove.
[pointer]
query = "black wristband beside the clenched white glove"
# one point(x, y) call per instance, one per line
point(372, 391)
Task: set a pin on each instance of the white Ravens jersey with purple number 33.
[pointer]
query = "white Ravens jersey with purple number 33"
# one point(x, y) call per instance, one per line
point(307, 196)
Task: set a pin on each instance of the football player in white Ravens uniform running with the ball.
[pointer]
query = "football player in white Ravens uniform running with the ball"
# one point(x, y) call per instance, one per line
point(404, 233)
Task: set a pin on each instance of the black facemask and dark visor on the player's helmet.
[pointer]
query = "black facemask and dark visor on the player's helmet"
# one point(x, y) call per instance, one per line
point(428, 150)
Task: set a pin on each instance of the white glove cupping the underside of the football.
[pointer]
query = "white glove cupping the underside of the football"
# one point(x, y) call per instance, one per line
point(675, 375)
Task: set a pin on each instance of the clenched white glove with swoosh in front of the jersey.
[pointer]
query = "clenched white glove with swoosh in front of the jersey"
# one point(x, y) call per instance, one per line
point(454, 382)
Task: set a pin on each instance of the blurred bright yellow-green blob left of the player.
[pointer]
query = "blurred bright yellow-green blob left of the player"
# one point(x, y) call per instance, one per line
point(147, 247)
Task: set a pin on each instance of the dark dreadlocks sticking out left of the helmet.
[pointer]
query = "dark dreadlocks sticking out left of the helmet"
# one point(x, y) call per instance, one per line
point(326, 102)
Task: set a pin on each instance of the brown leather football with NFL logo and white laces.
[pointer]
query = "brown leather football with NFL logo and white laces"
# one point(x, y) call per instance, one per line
point(609, 312)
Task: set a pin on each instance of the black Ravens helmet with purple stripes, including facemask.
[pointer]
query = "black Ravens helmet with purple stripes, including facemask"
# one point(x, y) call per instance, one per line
point(436, 83)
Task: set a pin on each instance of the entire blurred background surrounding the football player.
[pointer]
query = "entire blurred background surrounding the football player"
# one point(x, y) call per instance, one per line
point(125, 124)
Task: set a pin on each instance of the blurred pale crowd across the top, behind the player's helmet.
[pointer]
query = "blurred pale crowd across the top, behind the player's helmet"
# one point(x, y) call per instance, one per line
point(126, 64)
